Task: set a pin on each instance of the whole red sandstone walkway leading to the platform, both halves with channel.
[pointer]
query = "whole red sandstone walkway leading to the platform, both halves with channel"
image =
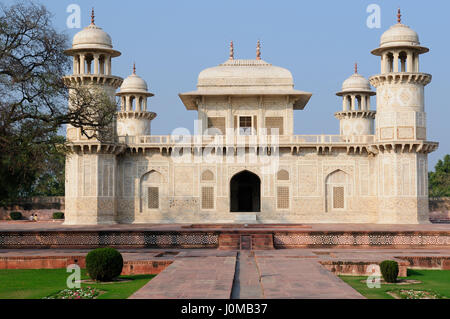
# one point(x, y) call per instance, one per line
point(244, 276)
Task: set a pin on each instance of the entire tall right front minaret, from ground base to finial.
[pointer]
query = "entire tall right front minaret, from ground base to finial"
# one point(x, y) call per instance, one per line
point(400, 143)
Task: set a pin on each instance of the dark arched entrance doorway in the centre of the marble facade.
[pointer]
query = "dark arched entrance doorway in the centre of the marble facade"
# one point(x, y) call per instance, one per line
point(245, 192)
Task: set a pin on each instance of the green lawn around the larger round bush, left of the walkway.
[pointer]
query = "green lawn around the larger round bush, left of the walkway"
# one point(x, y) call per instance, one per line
point(40, 283)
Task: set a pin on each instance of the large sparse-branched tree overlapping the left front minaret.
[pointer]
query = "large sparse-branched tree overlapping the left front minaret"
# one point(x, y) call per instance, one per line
point(33, 99)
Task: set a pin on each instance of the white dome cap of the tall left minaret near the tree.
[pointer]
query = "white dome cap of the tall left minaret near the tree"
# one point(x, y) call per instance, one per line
point(92, 37)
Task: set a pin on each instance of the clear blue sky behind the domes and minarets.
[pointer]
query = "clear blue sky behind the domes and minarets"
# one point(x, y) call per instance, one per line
point(318, 41)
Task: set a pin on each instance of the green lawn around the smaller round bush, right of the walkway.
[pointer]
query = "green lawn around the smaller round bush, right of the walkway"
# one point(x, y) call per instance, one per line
point(437, 281)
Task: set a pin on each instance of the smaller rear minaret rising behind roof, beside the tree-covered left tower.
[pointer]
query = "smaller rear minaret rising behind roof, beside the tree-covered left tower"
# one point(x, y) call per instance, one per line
point(134, 119)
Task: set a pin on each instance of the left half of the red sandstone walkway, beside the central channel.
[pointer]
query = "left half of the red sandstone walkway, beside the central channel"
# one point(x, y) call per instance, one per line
point(192, 278)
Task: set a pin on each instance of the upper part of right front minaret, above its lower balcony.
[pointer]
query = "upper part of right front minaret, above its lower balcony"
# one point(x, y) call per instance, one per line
point(400, 86)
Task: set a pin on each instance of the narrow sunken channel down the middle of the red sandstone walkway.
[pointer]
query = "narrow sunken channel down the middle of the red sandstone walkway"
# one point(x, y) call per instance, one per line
point(246, 279)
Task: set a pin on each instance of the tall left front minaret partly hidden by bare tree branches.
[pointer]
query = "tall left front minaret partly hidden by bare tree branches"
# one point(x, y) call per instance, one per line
point(91, 167)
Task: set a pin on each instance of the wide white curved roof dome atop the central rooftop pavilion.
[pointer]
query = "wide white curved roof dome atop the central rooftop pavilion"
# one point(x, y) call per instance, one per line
point(253, 73)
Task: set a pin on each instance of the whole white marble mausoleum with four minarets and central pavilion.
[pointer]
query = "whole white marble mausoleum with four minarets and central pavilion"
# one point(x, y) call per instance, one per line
point(244, 163)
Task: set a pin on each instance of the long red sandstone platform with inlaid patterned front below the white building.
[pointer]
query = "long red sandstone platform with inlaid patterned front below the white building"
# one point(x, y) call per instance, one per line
point(36, 235)
